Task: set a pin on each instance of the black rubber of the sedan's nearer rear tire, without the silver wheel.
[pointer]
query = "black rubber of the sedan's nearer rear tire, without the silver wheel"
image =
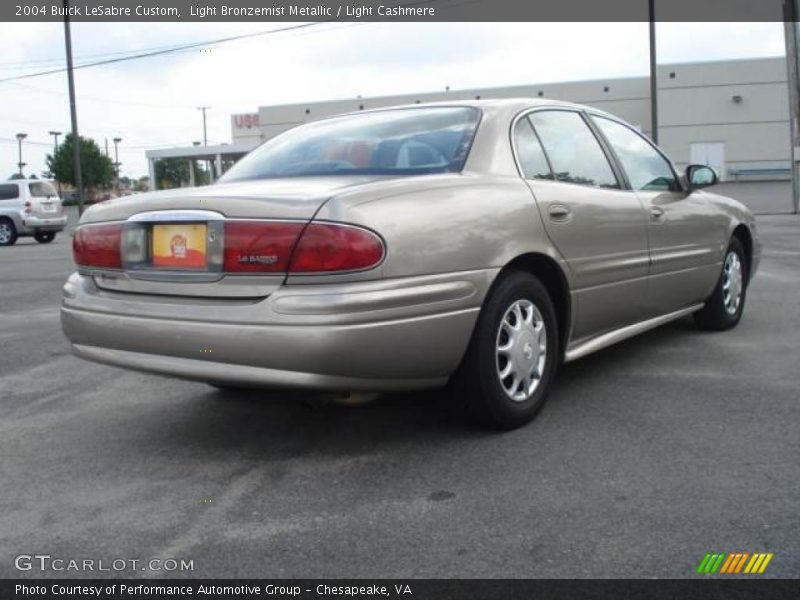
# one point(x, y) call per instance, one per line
point(476, 387)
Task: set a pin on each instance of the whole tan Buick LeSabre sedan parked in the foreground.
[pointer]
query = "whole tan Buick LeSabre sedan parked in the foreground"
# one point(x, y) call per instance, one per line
point(477, 244)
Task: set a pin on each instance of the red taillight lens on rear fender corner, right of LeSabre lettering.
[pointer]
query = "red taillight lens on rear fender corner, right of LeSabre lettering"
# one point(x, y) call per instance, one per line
point(326, 247)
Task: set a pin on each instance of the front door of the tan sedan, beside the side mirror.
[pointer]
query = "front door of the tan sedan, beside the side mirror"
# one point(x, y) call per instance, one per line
point(686, 233)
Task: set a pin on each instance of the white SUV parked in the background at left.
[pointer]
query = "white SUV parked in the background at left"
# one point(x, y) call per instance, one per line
point(30, 208)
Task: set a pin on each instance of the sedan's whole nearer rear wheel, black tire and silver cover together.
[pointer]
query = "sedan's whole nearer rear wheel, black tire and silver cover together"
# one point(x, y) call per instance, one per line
point(477, 388)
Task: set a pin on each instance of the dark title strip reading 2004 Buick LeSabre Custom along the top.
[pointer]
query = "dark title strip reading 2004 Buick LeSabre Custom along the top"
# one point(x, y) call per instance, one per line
point(395, 10)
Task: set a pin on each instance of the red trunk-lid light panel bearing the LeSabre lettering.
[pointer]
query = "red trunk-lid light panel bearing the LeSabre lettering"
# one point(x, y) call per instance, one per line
point(259, 246)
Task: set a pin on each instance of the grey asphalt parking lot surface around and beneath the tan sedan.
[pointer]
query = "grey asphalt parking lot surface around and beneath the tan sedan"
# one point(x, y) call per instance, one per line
point(648, 455)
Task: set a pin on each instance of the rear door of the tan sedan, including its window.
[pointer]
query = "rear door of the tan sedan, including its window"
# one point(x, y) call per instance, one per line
point(599, 228)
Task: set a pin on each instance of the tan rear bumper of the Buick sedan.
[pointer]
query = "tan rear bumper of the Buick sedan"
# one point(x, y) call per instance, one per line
point(371, 336)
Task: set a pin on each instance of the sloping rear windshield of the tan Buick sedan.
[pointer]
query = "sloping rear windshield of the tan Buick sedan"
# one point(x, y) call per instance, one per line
point(392, 142)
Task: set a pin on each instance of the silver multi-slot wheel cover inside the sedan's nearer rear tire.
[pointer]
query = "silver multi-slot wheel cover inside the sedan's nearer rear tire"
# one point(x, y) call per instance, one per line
point(521, 349)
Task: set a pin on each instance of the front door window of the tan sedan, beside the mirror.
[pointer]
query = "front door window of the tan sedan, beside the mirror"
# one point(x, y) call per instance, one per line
point(646, 168)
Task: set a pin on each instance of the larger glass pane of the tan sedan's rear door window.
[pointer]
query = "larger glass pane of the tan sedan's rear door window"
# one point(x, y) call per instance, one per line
point(573, 150)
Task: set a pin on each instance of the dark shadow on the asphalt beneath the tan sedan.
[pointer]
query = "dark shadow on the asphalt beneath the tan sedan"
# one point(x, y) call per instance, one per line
point(281, 424)
